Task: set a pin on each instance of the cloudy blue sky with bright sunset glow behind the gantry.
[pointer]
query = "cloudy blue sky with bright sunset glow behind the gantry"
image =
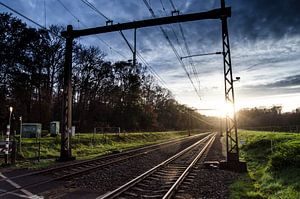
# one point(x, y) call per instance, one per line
point(264, 37)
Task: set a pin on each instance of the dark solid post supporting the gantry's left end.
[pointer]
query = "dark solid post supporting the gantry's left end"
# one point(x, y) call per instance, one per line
point(65, 152)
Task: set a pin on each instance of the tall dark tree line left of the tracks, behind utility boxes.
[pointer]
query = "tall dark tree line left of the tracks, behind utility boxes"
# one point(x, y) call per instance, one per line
point(104, 93)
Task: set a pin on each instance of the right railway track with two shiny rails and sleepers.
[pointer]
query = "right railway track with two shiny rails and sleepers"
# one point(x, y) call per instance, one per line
point(163, 180)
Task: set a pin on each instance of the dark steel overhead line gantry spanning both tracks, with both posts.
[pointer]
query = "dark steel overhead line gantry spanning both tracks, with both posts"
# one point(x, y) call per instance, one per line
point(223, 13)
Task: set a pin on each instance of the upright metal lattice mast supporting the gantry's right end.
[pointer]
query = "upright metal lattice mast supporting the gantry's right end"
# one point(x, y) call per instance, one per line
point(231, 124)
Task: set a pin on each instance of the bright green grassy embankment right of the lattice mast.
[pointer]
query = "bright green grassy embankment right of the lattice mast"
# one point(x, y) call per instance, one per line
point(273, 161)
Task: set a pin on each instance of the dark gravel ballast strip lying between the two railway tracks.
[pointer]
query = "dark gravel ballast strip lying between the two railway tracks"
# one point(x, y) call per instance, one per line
point(111, 177)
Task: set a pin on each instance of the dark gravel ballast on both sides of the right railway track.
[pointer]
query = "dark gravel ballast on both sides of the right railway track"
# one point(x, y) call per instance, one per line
point(203, 183)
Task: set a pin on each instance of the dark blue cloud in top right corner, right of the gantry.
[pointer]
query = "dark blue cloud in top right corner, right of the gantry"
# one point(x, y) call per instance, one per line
point(259, 19)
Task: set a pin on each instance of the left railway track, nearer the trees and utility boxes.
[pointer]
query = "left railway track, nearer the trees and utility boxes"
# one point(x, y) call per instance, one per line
point(74, 169)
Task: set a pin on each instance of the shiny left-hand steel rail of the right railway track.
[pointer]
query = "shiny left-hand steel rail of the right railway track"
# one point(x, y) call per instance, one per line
point(136, 180)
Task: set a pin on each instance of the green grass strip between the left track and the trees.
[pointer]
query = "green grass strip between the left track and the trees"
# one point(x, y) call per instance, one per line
point(85, 146)
